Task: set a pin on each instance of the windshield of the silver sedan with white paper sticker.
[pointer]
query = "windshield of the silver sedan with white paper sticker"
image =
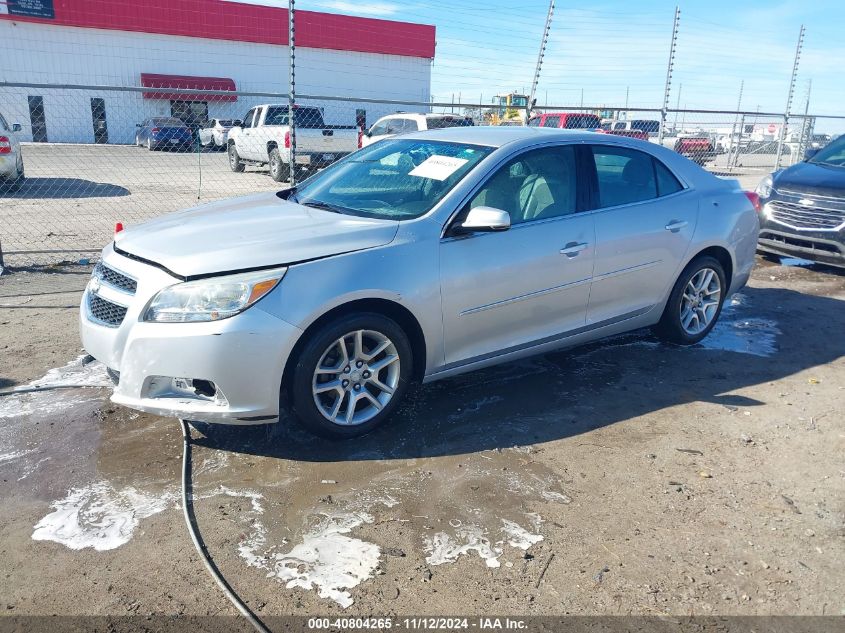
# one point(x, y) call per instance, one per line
point(394, 179)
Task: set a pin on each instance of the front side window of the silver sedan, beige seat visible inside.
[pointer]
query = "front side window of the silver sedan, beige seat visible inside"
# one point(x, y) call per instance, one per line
point(536, 185)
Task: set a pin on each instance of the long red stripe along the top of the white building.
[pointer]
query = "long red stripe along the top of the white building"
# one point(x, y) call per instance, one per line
point(233, 21)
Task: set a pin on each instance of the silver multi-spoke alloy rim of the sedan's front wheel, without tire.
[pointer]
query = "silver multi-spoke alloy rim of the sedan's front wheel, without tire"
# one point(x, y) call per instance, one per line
point(356, 377)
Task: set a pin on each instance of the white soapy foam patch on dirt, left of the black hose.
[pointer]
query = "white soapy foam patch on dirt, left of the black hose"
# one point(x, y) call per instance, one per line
point(98, 516)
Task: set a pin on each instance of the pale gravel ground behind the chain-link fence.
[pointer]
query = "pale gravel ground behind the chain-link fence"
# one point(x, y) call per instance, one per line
point(74, 194)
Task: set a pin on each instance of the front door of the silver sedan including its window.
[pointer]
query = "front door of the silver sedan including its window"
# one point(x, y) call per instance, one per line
point(509, 289)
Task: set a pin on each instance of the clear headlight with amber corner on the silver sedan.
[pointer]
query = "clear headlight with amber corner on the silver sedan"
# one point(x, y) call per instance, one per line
point(212, 299)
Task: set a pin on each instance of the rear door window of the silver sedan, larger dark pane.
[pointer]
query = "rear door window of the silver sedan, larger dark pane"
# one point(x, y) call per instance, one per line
point(624, 176)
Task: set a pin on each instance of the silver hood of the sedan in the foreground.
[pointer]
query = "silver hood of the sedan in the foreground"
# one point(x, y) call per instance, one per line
point(251, 232)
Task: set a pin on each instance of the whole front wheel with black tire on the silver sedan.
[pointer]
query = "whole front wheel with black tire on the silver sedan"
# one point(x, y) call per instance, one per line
point(351, 375)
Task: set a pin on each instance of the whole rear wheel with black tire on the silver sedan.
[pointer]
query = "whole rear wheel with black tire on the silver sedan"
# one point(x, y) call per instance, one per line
point(694, 304)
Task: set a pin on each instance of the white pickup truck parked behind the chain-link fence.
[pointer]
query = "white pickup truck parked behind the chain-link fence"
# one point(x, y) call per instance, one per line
point(264, 139)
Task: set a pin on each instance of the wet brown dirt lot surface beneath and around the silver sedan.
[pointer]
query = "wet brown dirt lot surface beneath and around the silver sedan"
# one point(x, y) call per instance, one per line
point(628, 477)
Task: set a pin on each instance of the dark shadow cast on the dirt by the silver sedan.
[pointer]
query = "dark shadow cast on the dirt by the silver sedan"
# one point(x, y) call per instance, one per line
point(567, 393)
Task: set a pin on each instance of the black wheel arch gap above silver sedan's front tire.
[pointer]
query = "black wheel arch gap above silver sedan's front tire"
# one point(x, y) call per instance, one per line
point(396, 311)
